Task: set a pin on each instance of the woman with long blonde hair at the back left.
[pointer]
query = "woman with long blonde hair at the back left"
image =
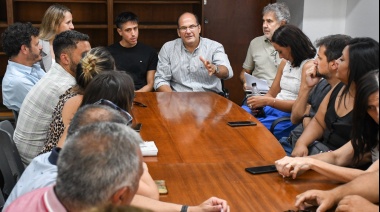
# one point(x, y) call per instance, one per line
point(57, 19)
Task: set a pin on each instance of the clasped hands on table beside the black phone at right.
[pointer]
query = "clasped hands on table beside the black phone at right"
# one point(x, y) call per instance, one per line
point(288, 166)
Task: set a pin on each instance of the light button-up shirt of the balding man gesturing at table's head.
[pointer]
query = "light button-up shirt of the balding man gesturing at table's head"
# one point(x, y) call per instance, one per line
point(183, 71)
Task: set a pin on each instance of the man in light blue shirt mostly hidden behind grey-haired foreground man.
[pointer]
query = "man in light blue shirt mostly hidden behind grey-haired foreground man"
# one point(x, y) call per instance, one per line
point(146, 195)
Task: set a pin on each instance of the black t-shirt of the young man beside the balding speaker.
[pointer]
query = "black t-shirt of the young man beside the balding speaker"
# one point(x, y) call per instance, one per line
point(136, 61)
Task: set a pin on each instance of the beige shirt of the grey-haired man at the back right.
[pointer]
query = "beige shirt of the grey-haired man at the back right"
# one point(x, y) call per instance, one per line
point(262, 58)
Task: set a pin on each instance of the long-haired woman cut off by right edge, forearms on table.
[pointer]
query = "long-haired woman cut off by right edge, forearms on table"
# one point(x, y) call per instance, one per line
point(364, 140)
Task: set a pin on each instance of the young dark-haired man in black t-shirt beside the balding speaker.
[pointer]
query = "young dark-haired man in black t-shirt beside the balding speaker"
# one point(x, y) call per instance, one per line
point(131, 56)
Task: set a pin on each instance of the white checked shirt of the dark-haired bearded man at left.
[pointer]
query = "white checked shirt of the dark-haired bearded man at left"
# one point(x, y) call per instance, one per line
point(36, 112)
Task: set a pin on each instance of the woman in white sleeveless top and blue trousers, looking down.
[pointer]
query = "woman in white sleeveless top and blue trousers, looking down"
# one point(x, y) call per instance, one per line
point(297, 51)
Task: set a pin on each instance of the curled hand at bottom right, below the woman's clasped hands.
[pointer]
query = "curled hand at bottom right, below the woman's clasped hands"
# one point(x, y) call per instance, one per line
point(325, 200)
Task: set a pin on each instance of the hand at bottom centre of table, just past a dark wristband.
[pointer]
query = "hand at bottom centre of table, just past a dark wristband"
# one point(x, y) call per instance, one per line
point(212, 204)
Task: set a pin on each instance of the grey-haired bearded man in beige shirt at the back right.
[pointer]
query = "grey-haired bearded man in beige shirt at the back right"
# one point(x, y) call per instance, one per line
point(262, 59)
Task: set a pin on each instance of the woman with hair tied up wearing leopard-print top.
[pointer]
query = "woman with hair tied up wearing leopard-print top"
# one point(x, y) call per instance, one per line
point(95, 61)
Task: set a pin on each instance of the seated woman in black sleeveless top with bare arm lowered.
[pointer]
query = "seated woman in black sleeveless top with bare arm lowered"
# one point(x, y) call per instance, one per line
point(333, 121)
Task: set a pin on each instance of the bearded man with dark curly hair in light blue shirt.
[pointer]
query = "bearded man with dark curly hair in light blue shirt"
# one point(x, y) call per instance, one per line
point(21, 44)
